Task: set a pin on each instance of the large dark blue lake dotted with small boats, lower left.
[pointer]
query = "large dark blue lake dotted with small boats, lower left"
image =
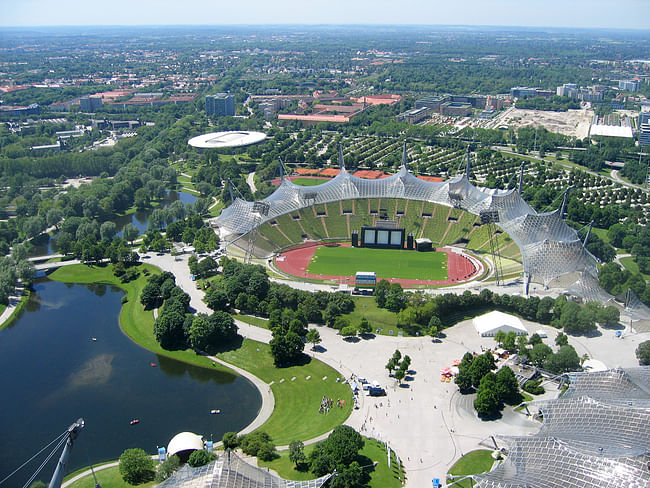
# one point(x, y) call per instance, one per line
point(53, 373)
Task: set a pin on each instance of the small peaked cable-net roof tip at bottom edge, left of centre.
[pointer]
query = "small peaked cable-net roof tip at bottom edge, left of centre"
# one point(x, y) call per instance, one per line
point(231, 471)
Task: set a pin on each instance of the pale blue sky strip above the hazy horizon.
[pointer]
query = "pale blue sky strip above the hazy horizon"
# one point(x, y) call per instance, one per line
point(630, 14)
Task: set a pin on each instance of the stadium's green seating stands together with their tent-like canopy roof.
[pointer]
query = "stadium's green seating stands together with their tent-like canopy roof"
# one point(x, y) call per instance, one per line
point(447, 212)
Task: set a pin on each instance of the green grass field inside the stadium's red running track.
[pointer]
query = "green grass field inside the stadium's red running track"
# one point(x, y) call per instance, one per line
point(387, 263)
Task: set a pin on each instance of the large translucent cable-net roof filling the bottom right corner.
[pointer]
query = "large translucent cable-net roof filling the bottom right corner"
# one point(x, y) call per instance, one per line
point(597, 435)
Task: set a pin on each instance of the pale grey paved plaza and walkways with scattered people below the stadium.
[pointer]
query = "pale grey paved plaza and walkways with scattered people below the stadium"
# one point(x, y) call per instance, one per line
point(427, 422)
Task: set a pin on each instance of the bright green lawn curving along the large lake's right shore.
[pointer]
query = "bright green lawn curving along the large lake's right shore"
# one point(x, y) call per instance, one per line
point(296, 402)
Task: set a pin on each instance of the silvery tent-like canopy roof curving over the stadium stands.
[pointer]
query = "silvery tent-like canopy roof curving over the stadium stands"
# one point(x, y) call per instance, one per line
point(550, 248)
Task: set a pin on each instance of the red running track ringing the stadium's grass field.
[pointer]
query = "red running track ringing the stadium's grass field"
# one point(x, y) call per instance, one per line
point(460, 267)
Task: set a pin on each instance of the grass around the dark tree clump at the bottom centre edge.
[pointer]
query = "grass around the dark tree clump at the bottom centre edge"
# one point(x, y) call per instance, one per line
point(381, 476)
